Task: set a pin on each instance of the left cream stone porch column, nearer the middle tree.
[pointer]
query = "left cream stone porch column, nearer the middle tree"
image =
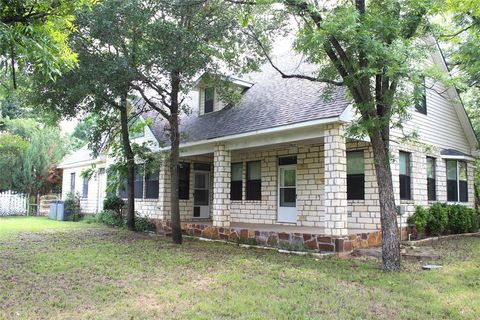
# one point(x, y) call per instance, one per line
point(221, 186)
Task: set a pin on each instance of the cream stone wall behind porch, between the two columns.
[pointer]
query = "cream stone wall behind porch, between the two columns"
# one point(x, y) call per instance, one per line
point(310, 186)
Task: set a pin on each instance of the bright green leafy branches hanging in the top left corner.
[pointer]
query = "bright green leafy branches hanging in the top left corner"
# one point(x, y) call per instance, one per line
point(33, 36)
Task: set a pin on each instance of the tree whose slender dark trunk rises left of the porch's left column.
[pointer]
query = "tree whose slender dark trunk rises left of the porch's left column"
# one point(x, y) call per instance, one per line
point(185, 39)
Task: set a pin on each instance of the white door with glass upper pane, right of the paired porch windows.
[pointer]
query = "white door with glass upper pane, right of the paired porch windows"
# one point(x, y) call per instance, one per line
point(287, 193)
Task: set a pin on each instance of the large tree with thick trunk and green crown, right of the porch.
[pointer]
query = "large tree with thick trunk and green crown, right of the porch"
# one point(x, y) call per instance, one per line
point(372, 49)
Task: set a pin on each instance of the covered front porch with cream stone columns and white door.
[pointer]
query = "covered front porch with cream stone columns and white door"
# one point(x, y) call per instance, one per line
point(277, 185)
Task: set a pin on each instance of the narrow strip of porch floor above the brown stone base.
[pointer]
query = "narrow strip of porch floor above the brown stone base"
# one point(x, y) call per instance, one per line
point(276, 227)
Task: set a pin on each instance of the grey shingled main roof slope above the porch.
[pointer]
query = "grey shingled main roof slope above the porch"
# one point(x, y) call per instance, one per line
point(271, 102)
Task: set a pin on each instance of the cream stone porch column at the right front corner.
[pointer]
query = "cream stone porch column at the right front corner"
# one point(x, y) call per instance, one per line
point(336, 223)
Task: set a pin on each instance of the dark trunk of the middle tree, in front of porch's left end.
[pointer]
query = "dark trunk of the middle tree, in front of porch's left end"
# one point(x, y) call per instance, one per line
point(174, 156)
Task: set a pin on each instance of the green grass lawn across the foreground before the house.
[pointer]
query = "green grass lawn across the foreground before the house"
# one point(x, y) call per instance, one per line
point(65, 270)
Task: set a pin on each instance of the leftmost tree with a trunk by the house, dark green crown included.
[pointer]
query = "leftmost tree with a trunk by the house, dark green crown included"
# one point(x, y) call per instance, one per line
point(102, 83)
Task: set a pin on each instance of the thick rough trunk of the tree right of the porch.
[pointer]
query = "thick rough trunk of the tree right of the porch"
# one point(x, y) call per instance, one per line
point(388, 216)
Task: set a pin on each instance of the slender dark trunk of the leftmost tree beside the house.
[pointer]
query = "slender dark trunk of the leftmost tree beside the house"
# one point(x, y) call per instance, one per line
point(130, 159)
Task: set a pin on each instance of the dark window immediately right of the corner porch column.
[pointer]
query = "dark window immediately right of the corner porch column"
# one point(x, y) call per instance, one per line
point(355, 175)
